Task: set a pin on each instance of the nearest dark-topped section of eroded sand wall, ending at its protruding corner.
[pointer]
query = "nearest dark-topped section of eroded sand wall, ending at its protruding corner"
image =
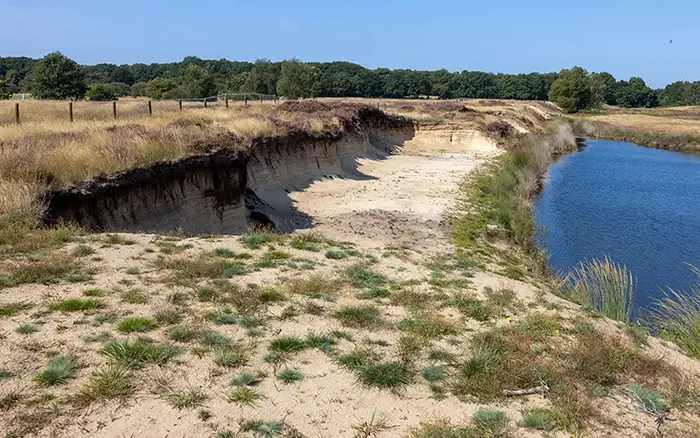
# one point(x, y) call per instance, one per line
point(202, 194)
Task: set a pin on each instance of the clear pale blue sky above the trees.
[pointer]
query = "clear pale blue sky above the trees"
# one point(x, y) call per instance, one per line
point(623, 37)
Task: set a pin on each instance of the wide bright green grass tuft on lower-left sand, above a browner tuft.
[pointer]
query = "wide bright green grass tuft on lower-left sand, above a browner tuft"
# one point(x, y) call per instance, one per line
point(133, 354)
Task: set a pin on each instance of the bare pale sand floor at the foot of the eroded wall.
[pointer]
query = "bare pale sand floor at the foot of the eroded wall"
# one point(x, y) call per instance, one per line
point(403, 200)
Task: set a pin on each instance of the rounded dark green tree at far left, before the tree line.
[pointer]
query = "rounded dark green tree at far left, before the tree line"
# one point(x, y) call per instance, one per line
point(58, 77)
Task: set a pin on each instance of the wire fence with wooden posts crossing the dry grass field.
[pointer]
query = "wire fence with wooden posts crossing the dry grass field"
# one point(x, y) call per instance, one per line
point(42, 111)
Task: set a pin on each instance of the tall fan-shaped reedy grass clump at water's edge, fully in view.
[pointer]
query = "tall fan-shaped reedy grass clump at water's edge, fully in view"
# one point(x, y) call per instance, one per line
point(603, 285)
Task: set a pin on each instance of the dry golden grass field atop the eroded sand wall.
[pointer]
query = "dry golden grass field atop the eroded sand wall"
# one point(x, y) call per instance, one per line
point(47, 151)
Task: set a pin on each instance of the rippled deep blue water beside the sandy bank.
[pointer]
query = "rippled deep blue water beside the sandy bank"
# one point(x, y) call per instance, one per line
point(640, 206)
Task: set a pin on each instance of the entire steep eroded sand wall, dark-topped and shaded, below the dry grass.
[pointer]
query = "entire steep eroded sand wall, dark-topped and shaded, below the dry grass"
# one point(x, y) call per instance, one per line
point(224, 192)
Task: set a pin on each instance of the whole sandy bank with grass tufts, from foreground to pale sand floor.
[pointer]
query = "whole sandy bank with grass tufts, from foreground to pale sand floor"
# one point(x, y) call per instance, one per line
point(371, 323)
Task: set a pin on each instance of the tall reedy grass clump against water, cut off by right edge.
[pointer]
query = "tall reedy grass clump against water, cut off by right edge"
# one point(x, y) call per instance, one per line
point(677, 318)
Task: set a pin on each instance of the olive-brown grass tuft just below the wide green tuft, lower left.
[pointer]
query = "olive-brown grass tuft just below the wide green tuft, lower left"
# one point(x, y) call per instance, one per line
point(111, 383)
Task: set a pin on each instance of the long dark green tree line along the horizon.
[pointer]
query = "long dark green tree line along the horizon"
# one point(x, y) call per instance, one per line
point(58, 77)
